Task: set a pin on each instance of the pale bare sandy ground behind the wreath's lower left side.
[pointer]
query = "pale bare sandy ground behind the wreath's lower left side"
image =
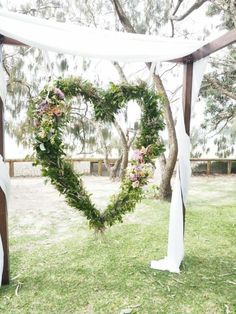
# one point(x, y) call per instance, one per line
point(37, 209)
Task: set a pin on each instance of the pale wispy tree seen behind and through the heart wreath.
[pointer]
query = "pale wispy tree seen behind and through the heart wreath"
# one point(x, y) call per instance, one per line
point(28, 72)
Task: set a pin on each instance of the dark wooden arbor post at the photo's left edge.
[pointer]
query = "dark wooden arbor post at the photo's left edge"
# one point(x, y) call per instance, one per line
point(3, 207)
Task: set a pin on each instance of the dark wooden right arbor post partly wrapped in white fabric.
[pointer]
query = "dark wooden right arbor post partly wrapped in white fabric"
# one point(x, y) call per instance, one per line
point(187, 98)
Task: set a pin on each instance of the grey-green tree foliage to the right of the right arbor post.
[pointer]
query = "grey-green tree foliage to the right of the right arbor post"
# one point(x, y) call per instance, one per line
point(219, 87)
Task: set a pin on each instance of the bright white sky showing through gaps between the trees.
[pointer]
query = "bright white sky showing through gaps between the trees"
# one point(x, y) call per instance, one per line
point(197, 21)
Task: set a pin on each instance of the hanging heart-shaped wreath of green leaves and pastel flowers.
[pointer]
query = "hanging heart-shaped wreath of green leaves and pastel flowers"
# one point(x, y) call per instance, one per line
point(51, 111)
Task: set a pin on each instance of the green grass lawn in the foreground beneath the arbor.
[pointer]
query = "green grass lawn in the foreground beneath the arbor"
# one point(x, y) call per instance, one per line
point(85, 273)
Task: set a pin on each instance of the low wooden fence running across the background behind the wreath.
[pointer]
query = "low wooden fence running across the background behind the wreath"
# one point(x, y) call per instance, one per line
point(24, 167)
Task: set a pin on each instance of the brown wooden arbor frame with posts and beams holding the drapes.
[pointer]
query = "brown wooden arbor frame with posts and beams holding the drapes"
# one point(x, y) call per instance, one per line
point(221, 42)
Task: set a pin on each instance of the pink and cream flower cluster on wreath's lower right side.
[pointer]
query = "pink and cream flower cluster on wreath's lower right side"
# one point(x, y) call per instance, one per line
point(139, 171)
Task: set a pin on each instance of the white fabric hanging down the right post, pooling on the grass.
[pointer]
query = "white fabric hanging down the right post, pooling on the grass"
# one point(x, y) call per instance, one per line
point(175, 251)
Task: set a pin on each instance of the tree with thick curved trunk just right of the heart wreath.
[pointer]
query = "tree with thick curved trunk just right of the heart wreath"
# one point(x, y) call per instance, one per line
point(148, 17)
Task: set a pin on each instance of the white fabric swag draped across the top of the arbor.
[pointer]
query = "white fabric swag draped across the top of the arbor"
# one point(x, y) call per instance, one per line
point(91, 42)
